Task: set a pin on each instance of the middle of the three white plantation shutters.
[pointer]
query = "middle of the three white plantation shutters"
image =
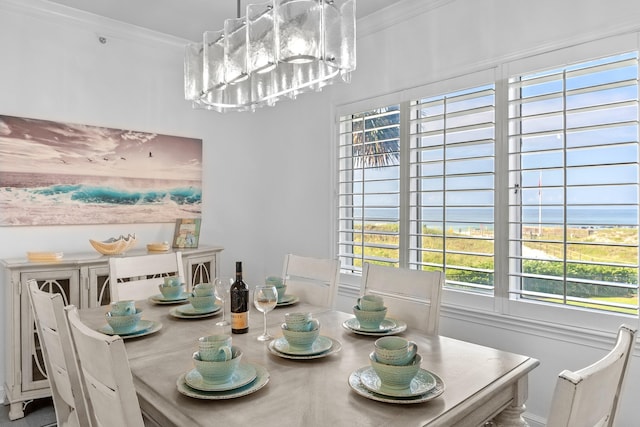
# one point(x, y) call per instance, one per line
point(452, 173)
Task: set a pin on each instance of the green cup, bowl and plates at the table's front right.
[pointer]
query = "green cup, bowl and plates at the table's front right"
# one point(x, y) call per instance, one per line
point(395, 375)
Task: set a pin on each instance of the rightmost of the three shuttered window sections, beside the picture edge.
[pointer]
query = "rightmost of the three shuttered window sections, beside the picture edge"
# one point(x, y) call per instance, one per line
point(573, 206)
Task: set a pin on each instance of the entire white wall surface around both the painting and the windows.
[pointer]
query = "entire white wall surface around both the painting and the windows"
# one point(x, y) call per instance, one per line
point(268, 179)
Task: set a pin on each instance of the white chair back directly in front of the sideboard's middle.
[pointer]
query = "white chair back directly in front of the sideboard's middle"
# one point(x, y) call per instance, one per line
point(142, 273)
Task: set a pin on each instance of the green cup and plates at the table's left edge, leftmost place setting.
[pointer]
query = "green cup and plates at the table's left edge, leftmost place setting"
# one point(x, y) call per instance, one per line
point(125, 320)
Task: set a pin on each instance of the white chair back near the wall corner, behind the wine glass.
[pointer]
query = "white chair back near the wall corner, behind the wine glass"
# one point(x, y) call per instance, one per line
point(313, 280)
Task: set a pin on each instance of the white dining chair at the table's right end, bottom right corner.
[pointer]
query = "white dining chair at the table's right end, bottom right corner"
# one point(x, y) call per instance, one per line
point(589, 397)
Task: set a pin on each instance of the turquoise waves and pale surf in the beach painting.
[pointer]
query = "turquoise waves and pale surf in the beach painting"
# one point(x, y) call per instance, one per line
point(56, 199)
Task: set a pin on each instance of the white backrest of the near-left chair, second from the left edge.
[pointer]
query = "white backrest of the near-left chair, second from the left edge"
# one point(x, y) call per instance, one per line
point(106, 375)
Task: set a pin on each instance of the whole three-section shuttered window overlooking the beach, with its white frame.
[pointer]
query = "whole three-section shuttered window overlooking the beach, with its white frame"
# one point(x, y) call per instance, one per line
point(524, 187)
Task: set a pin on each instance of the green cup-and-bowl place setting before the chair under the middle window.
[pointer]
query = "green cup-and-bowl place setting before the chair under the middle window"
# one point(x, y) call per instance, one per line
point(370, 318)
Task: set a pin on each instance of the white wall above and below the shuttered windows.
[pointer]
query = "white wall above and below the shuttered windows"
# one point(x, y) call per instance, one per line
point(445, 39)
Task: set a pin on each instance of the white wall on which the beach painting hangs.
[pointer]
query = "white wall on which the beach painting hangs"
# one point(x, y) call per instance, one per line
point(259, 200)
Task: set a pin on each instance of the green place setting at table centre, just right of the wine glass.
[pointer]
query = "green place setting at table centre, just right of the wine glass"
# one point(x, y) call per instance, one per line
point(301, 339)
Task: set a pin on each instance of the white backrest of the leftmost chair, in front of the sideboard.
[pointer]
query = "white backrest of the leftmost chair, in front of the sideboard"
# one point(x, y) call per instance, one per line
point(59, 358)
